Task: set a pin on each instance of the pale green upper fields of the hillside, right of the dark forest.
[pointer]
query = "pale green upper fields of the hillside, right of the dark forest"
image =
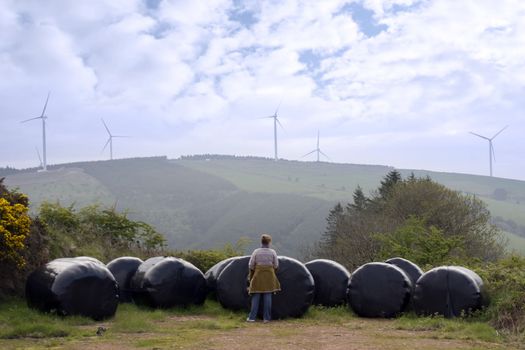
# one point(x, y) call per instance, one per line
point(336, 182)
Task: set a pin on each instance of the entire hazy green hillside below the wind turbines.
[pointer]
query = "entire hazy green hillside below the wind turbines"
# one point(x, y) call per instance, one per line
point(203, 202)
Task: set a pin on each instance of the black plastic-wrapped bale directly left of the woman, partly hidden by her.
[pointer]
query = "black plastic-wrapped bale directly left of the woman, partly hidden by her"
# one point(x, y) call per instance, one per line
point(232, 284)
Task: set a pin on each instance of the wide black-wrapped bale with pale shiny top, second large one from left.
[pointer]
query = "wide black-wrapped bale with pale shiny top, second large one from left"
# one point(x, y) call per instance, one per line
point(166, 282)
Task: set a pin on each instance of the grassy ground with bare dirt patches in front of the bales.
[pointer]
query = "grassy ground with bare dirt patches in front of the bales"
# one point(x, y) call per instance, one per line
point(210, 326)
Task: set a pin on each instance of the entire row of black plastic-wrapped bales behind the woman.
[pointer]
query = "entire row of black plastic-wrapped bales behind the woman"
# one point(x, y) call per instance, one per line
point(85, 286)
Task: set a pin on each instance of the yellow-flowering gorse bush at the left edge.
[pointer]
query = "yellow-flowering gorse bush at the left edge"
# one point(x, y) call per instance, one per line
point(14, 229)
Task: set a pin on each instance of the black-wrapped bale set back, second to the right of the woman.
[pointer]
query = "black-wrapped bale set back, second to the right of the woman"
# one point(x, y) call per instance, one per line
point(331, 282)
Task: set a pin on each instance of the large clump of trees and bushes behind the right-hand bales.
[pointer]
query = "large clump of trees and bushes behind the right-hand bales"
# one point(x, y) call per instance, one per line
point(416, 218)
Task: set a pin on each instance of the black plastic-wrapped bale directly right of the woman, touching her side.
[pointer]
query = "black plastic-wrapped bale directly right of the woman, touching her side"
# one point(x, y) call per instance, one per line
point(297, 289)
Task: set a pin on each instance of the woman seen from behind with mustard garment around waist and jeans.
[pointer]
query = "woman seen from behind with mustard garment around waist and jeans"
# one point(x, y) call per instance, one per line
point(263, 281)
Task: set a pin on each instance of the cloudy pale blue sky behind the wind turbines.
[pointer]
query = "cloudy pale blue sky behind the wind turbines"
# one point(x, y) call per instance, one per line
point(392, 82)
